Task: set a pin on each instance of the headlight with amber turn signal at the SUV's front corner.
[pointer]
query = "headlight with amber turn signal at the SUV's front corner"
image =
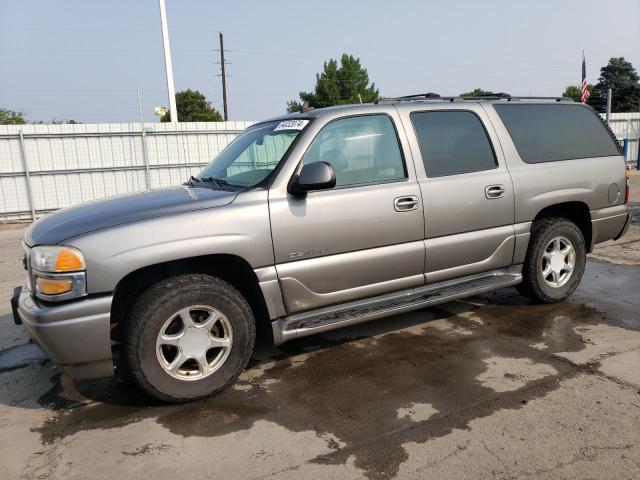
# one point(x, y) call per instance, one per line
point(57, 273)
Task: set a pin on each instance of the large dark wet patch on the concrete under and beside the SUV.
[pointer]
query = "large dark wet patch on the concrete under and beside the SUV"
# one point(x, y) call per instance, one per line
point(368, 389)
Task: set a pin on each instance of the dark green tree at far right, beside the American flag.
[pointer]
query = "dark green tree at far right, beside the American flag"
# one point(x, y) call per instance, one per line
point(620, 76)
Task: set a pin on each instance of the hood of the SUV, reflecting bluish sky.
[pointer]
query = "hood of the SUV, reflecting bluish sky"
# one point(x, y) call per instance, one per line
point(70, 222)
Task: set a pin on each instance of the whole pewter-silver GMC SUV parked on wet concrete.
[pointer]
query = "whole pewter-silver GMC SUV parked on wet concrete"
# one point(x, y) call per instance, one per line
point(310, 222)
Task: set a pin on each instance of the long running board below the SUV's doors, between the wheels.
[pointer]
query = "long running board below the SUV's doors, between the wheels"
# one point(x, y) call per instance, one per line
point(329, 318)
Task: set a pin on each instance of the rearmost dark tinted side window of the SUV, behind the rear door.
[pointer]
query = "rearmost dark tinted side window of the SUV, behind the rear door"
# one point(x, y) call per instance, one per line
point(548, 133)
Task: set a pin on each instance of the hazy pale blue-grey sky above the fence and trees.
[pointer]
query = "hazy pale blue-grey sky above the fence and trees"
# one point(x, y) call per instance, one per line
point(86, 59)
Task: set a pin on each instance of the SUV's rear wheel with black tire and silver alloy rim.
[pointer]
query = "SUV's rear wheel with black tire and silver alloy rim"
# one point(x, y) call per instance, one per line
point(545, 289)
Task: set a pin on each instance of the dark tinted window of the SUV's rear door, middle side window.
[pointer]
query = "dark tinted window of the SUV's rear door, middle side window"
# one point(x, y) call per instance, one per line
point(452, 143)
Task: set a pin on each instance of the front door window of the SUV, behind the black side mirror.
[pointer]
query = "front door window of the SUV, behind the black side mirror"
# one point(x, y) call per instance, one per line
point(361, 149)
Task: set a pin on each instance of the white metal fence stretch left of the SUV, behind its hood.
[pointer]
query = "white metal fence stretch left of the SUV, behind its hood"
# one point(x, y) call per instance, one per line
point(72, 164)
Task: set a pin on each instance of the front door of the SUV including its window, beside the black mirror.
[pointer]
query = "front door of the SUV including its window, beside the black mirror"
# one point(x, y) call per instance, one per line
point(362, 238)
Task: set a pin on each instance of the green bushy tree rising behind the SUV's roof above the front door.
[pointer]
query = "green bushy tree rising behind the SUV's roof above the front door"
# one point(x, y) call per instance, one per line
point(342, 85)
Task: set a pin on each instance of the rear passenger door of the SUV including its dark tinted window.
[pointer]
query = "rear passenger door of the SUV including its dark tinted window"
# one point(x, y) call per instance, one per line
point(466, 189)
